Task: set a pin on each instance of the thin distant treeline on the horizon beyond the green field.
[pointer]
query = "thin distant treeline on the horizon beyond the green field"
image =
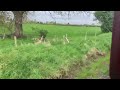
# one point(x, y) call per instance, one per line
point(54, 23)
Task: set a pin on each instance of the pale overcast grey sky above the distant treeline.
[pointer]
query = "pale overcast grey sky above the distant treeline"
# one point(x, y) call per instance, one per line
point(74, 19)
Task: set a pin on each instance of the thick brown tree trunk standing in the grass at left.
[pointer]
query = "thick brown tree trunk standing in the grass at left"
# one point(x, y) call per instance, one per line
point(18, 15)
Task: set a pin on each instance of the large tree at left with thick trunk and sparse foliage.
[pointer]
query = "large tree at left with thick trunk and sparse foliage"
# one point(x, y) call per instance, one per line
point(18, 21)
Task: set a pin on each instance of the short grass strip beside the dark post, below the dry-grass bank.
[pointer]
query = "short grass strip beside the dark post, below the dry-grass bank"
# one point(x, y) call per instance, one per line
point(96, 70)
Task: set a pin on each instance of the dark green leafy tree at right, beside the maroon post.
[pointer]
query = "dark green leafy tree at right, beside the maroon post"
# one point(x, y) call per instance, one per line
point(106, 20)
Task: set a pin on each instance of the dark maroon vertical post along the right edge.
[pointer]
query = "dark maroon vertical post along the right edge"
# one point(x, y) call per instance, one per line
point(115, 49)
